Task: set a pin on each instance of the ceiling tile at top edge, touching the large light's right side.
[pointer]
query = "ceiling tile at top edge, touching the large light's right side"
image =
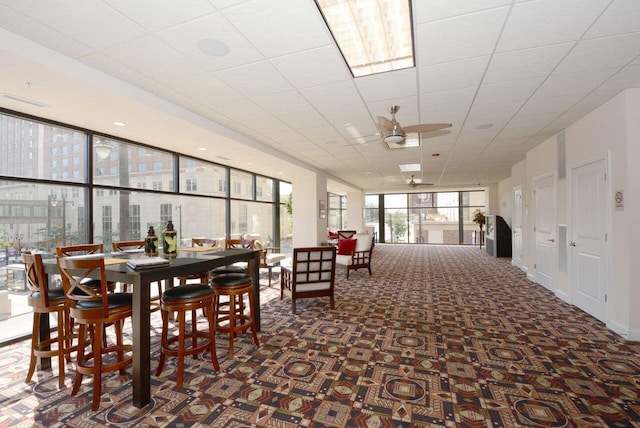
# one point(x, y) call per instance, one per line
point(434, 10)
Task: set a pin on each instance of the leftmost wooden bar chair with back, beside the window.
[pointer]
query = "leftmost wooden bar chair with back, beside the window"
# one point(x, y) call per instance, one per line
point(47, 301)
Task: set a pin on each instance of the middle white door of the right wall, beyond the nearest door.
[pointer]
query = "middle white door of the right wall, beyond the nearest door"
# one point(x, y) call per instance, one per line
point(544, 230)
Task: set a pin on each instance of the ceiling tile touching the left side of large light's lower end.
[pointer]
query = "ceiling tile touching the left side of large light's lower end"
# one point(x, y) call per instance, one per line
point(313, 67)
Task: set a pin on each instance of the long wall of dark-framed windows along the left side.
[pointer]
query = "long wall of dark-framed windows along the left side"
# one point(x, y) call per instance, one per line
point(60, 185)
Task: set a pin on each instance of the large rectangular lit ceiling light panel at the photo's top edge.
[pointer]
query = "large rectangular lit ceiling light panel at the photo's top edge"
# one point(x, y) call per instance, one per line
point(374, 36)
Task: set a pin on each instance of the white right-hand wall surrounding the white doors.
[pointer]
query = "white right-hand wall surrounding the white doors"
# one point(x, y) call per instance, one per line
point(612, 130)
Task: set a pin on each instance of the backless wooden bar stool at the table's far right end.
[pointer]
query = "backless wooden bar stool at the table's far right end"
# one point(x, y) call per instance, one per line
point(235, 286)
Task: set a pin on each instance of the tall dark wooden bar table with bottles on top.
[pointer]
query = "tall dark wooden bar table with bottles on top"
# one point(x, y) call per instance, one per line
point(187, 262)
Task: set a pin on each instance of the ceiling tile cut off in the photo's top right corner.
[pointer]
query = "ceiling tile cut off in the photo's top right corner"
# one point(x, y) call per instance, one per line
point(623, 16)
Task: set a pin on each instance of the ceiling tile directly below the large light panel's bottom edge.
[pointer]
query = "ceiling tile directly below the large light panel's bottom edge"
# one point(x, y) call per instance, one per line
point(388, 86)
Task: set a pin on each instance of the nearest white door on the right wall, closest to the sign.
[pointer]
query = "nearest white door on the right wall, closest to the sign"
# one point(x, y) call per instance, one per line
point(588, 274)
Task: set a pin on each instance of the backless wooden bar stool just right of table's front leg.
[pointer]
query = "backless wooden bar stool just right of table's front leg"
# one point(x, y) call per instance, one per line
point(183, 299)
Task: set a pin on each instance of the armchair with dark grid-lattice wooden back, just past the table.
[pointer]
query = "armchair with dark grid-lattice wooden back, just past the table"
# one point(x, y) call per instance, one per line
point(311, 274)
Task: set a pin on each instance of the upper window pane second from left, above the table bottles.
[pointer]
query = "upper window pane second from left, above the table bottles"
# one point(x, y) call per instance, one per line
point(112, 161)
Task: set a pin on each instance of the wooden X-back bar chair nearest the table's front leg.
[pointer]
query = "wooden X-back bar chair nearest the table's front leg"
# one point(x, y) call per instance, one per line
point(94, 309)
